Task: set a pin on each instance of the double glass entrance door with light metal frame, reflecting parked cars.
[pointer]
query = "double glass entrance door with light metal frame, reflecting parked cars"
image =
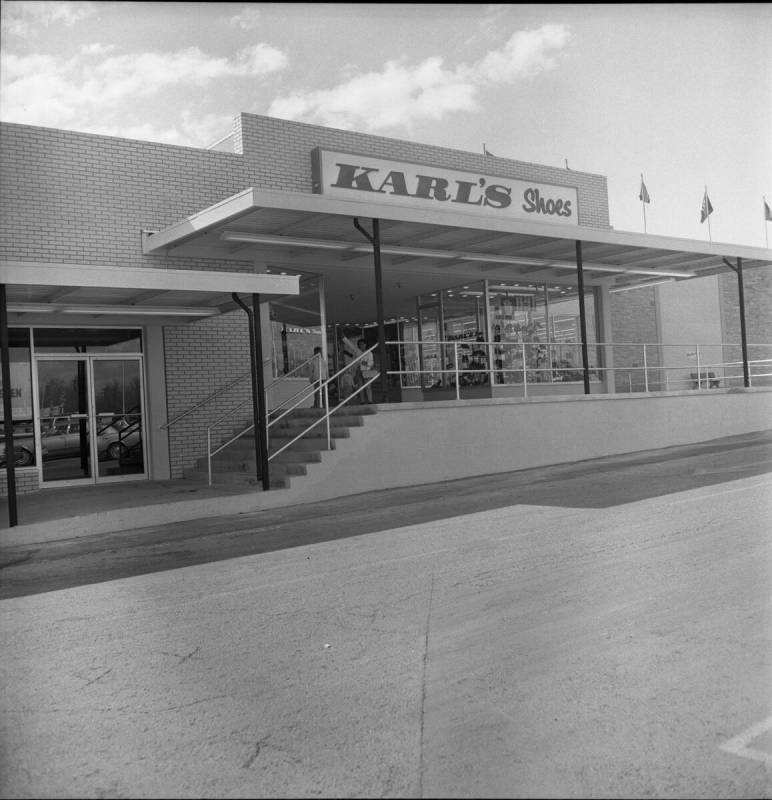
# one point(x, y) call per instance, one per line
point(92, 393)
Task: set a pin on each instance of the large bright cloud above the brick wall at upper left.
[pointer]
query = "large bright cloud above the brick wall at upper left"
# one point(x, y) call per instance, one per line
point(88, 93)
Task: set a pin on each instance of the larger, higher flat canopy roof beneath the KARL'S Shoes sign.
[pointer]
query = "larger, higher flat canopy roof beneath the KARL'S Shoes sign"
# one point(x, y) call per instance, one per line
point(426, 250)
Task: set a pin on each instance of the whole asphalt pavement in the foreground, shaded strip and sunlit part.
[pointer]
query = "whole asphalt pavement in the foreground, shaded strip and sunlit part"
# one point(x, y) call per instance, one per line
point(598, 630)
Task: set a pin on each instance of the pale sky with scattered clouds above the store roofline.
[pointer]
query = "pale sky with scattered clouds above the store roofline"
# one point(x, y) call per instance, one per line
point(678, 93)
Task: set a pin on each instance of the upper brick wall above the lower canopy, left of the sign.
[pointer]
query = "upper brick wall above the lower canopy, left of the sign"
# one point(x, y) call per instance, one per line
point(84, 199)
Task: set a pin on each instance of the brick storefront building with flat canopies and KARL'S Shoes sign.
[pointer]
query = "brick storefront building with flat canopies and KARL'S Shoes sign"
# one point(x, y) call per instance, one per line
point(127, 268)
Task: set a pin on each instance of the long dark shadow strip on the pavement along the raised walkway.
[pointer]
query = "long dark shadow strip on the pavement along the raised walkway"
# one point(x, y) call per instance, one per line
point(599, 483)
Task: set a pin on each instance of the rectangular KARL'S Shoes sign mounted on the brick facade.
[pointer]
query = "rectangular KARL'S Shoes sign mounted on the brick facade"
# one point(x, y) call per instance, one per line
point(354, 177)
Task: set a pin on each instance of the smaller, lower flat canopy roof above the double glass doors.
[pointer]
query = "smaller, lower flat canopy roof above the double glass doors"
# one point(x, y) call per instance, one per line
point(67, 294)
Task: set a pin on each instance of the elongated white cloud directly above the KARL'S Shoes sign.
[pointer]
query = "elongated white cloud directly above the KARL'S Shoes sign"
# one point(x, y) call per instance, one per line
point(401, 94)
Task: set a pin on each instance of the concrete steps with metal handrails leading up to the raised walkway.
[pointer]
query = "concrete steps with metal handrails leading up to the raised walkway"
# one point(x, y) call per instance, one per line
point(237, 465)
